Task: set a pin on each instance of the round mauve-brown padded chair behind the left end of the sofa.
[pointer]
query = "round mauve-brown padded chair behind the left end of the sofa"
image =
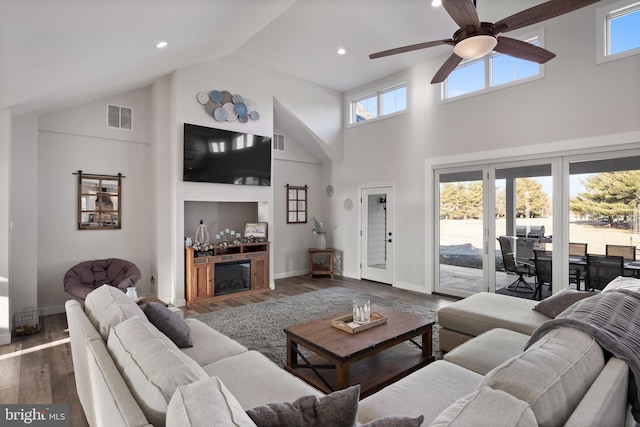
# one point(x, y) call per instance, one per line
point(89, 275)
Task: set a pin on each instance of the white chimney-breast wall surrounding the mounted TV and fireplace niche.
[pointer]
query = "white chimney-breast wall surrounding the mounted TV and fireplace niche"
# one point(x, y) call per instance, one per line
point(320, 107)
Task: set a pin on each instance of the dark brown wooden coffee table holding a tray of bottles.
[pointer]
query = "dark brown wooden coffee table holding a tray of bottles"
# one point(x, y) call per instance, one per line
point(372, 358)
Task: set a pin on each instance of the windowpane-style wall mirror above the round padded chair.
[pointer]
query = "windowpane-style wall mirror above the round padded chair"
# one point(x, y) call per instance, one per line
point(99, 201)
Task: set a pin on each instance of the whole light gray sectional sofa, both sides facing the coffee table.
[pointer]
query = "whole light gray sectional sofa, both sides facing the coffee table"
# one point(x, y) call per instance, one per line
point(128, 373)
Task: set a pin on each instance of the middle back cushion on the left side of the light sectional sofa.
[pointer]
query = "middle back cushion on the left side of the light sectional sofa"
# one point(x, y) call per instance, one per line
point(151, 365)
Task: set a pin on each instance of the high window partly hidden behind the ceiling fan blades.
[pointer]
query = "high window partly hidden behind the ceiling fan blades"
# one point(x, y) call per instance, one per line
point(491, 71)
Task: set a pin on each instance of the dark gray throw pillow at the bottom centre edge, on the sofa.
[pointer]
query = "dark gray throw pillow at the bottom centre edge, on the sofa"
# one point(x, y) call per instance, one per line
point(336, 409)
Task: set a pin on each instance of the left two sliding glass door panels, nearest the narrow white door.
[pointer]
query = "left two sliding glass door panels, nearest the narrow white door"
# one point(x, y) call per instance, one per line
point(476, 206)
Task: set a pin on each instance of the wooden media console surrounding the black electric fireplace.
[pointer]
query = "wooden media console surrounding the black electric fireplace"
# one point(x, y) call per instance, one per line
point(200, 271)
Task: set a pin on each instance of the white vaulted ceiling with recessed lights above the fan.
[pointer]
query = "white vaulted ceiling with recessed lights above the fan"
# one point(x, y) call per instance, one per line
point(56, 53)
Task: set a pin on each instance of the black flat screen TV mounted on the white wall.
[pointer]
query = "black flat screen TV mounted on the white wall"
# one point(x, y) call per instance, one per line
point(226, 157)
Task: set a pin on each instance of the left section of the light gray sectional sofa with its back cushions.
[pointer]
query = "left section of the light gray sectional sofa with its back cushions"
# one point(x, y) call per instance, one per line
point(127, 371)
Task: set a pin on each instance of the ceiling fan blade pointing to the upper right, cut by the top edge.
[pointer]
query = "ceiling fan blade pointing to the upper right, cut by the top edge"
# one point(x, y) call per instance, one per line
point(540, 13)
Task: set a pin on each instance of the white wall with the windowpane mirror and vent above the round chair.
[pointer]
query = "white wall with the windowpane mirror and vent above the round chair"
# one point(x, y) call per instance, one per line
point(78, 139)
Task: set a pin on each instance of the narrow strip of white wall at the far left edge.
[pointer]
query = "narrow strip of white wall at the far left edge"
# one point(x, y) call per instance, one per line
point(5, 195)
